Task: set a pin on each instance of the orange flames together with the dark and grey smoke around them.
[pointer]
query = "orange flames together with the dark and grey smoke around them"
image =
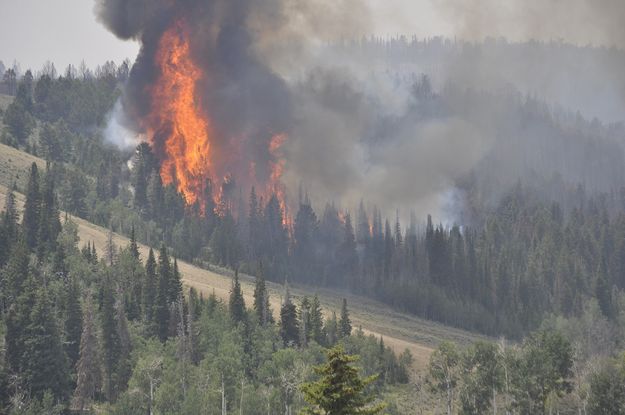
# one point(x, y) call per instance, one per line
point(249, 94)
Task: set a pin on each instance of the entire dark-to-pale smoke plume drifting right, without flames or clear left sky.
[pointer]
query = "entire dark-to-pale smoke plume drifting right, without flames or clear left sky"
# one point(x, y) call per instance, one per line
point(357, 128)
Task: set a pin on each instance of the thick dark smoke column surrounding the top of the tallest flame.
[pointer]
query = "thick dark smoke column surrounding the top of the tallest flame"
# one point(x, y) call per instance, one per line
point(247, 103)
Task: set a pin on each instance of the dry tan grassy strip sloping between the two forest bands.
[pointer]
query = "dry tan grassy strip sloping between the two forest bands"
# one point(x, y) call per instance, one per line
point(400, 331)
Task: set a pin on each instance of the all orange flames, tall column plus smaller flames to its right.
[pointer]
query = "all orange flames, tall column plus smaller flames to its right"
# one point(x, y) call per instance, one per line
point(181, 131)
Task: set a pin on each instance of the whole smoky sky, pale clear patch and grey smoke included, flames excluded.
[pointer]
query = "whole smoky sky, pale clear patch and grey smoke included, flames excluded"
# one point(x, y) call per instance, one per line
point(269, 71)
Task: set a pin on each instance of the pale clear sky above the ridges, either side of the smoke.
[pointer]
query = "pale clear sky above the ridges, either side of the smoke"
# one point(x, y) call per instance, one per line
point(65, 31)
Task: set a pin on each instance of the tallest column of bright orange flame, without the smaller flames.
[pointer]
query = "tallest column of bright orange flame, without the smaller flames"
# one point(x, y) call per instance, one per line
point(175, 117)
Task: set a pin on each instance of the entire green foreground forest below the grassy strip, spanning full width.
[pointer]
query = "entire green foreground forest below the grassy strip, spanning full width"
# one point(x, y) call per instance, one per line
point(112, 332)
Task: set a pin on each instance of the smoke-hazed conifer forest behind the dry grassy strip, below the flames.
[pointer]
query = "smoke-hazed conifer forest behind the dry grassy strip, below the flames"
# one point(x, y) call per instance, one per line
point(546, 244)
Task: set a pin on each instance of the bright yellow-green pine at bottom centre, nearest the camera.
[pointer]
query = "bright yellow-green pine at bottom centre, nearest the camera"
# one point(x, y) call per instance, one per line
point(340, 389)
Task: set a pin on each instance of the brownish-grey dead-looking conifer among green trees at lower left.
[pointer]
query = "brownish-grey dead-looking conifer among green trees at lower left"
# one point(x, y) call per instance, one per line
point(88, 375)
